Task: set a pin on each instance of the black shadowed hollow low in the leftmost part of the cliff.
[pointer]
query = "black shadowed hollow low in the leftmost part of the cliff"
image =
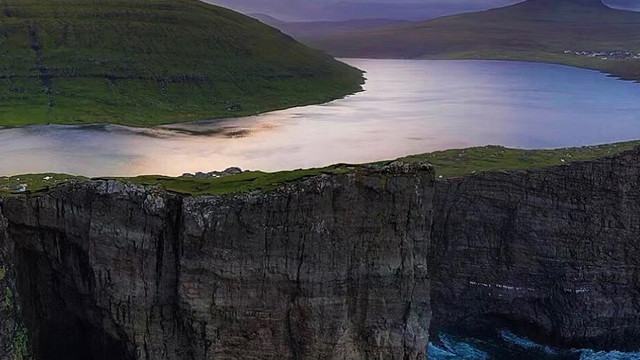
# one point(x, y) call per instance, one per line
point(62, 322)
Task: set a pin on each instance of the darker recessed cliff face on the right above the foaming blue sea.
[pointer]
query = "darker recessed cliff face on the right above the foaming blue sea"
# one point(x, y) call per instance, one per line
point(555, 252)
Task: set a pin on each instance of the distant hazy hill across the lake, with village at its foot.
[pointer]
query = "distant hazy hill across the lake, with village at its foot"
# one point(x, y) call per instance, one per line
point(535, 30)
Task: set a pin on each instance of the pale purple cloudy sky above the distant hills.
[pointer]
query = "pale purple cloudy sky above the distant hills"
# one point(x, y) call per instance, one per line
point(336, 10)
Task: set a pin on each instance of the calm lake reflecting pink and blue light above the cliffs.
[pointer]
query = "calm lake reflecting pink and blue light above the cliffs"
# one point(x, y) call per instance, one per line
point(408, 107)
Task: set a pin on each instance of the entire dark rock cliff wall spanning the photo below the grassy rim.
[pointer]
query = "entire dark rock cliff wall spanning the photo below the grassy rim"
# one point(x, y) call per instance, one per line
point(346, 266)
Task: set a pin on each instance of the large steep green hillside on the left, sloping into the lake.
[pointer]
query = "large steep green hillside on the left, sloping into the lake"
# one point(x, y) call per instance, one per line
point(151, 62)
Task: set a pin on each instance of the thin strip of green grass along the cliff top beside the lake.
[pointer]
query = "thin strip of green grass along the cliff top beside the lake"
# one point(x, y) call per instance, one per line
point(448, 164)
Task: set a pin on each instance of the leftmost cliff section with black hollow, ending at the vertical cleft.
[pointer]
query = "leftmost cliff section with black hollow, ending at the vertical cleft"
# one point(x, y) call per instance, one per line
point(96, 270)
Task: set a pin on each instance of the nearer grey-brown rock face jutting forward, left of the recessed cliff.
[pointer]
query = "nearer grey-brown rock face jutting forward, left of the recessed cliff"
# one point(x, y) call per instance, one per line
point(333, 267)
